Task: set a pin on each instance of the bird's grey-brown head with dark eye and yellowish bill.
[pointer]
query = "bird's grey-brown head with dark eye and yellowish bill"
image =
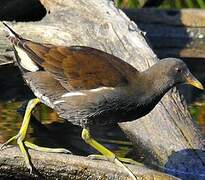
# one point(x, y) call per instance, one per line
point(177, 72)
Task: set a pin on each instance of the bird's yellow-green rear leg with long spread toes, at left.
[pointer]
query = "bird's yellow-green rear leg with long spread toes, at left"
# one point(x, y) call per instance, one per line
point(20, 137)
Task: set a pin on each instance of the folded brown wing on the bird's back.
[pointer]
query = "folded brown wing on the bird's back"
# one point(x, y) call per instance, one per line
point(82, 67)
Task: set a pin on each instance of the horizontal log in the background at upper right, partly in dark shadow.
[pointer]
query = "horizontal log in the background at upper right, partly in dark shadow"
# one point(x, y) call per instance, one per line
point(170, 32)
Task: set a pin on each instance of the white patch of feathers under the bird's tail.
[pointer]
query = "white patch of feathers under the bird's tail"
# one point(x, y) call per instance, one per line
point(26, 61)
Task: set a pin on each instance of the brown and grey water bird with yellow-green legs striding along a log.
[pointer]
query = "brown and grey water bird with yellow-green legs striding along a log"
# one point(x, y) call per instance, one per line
point(90, 88)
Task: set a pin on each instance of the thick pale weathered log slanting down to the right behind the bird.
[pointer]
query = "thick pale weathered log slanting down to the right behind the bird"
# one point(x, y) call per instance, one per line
point(166, 138)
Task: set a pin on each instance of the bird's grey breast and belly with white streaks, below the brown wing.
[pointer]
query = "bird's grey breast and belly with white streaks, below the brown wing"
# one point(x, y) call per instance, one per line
point(102, 106)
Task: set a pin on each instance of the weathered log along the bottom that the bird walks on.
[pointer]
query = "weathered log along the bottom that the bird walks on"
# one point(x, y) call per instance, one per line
point(63, 166)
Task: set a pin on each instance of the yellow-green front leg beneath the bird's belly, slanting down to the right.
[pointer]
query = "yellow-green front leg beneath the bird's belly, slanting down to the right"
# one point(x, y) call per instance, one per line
point(106, 152)
